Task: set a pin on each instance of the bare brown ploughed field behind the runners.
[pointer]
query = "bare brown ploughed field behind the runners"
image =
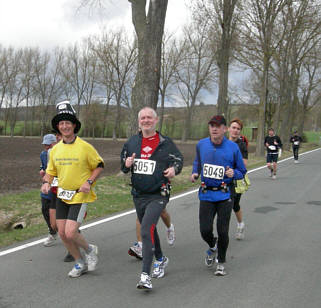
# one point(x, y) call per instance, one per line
point(20, 160)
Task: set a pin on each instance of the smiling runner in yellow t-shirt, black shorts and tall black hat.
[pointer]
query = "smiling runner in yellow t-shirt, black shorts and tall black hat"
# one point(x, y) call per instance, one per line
point(77, 165)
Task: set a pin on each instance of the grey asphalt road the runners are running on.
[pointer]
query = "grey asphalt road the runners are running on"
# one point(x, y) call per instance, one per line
point(277, 265)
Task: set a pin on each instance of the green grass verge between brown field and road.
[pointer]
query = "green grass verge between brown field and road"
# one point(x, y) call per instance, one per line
point(113, 196)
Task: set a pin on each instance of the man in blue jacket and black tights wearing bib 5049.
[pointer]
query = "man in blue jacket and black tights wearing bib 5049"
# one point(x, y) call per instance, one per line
point(218, 161)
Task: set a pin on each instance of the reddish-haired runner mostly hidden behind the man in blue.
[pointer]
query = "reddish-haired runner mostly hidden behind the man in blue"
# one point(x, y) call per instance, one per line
point(234, 130)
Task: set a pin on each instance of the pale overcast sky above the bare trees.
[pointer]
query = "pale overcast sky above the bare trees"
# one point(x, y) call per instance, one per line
point(51, 23)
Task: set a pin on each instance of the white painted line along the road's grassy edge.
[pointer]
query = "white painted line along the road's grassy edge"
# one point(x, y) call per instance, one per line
point(11, 250)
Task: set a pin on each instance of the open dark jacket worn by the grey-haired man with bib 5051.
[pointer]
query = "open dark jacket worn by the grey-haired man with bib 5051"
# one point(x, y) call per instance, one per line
point(166, 155)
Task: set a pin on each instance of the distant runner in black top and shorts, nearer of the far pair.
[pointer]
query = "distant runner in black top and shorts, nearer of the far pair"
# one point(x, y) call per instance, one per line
point(273, 144)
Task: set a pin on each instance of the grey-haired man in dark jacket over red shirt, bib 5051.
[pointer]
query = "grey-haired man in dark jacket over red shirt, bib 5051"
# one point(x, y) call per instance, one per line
point(153, 160)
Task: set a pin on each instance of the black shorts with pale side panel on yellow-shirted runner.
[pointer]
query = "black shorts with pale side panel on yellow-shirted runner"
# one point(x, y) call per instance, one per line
point(76, 212)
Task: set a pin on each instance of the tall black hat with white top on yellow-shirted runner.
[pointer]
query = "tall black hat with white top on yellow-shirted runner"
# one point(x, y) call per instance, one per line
point(65, 112)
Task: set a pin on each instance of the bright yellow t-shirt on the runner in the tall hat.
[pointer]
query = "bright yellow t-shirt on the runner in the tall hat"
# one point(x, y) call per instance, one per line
point(73, 165)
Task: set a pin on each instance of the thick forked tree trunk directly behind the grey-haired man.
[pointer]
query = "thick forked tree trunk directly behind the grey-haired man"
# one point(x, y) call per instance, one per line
point(149, 30)
